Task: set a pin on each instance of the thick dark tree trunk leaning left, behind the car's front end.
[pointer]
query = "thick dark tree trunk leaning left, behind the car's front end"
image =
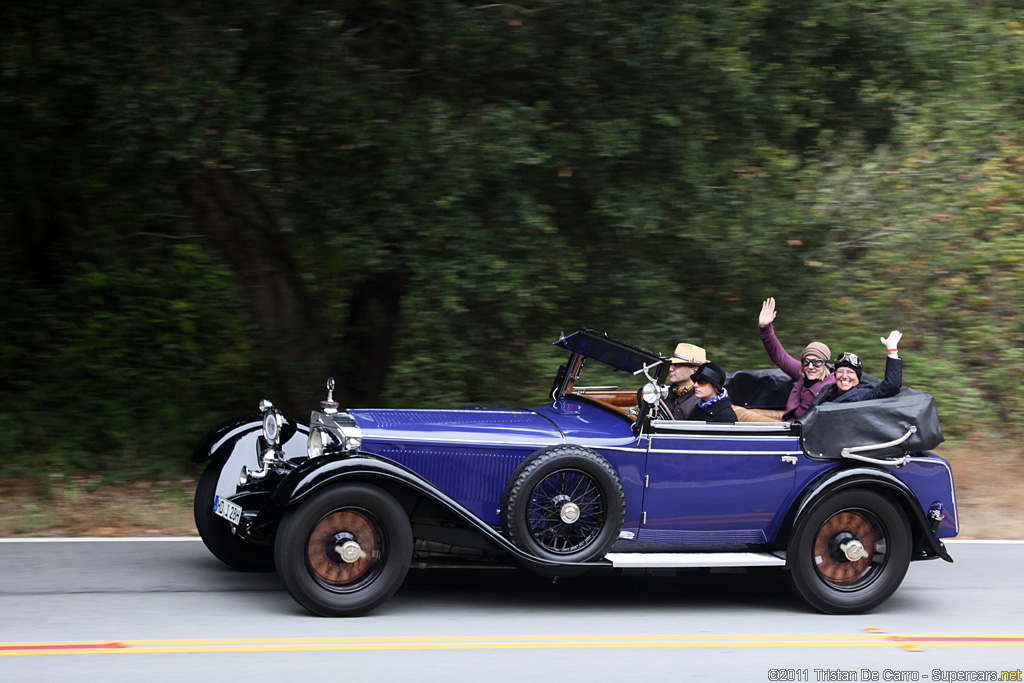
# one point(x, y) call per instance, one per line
point(248, 237)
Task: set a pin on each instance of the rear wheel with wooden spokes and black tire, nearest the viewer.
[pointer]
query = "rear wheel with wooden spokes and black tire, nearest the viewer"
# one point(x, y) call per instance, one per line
point(822, 572)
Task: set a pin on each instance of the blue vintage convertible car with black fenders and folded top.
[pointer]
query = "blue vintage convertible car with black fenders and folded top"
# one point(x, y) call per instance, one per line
point(596, 477)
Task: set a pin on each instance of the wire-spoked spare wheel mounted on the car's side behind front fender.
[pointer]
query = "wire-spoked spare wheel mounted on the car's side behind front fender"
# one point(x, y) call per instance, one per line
point(564, 503)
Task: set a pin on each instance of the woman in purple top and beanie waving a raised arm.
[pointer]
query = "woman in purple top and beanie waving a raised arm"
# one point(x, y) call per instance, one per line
point(812, 373)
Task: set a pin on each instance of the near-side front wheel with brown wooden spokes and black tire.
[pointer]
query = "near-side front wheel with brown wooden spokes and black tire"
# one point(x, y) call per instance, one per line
point(309, 550)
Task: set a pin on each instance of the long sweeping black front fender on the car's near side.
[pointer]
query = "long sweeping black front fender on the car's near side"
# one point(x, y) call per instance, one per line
point(314, 476)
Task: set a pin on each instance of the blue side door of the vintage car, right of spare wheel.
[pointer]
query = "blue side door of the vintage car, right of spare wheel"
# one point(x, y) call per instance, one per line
point(718, 484)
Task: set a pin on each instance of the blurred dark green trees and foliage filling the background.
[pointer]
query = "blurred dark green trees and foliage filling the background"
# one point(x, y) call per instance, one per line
point(203, 206)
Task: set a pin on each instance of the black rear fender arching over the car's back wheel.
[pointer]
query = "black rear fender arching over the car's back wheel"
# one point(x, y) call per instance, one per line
point(926, 545)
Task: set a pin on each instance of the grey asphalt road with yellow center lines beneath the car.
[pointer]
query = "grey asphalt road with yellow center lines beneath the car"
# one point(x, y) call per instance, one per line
point(167, 611)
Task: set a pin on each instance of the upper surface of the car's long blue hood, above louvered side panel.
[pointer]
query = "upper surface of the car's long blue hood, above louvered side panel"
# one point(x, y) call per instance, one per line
point(513, 428)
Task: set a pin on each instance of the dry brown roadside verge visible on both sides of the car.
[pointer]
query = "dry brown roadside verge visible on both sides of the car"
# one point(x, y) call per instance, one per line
point(990, 477)
